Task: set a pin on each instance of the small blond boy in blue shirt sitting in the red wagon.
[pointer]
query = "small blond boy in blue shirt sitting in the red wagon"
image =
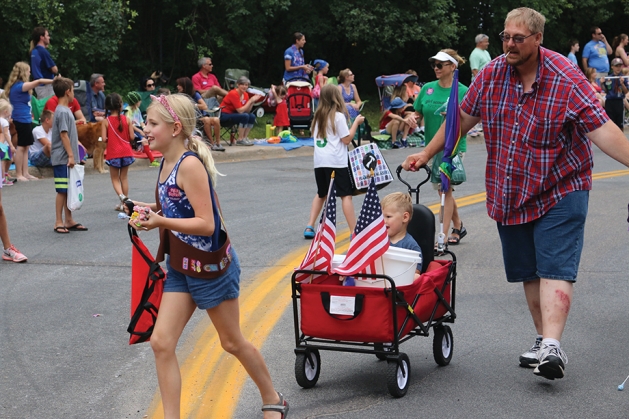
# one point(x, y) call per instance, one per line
point(397, 210)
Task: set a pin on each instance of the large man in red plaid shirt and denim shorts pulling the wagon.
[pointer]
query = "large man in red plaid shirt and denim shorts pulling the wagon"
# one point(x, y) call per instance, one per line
point(539, 115)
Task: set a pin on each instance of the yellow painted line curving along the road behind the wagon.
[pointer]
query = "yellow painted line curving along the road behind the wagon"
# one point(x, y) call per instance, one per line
point(211, 378)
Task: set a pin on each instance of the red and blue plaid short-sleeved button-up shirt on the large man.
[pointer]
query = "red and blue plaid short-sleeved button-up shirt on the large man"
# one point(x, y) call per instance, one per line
point(537, 148)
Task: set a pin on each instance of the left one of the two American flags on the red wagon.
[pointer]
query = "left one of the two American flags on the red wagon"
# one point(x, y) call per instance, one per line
point(321, 251)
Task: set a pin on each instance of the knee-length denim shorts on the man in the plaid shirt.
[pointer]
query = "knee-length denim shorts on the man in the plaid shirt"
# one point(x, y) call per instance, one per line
point(549, 247)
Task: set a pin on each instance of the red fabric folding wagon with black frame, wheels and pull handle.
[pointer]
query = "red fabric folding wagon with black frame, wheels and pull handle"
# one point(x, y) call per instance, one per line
point(378, 320)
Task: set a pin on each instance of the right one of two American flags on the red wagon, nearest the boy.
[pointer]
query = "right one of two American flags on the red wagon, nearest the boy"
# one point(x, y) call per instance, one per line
point(370, 237)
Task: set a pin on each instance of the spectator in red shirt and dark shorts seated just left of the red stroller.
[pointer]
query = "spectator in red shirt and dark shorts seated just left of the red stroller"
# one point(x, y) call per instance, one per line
point(237, 107)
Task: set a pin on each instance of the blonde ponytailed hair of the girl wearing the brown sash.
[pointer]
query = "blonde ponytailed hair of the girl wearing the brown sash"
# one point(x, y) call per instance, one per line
point(184, 109)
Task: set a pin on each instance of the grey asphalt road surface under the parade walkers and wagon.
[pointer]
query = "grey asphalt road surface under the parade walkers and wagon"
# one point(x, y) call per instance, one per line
point(64, 349)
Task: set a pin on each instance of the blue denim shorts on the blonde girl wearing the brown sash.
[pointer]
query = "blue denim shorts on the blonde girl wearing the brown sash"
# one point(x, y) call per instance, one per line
point(206, 293)
